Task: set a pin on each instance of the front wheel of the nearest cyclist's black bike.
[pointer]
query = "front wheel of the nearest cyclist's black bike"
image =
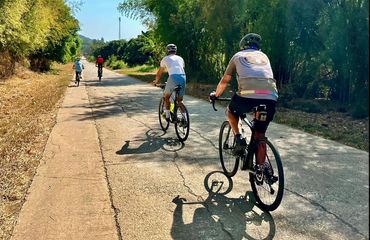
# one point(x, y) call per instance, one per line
point(226, 145)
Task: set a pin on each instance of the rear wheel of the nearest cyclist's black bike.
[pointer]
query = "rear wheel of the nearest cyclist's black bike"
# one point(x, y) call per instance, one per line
point(268, 193)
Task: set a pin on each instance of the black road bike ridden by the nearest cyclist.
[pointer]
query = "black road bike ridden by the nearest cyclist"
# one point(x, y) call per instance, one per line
point(267, 184)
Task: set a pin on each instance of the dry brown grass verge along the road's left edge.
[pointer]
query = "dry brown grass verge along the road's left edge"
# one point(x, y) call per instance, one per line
point(28, 106)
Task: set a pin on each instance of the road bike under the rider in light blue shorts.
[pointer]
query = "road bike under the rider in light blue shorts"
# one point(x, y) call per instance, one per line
point(182, 125)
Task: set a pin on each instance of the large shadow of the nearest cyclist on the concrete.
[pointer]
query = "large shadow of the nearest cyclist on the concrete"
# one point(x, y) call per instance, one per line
point(221, 217)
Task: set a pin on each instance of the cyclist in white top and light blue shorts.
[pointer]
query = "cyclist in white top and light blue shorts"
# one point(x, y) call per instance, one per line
point(174, 65)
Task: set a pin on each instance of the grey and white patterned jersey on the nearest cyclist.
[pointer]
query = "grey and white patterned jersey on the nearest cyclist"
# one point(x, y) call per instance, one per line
point(254, 74)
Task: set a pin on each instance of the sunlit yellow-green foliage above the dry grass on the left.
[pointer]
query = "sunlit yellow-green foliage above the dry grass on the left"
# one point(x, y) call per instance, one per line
point(42, 30)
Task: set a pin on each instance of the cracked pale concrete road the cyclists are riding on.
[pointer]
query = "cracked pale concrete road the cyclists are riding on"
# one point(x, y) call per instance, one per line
point(156, 187)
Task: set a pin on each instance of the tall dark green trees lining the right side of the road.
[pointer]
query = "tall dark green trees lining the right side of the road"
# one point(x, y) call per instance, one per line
point(318, 49)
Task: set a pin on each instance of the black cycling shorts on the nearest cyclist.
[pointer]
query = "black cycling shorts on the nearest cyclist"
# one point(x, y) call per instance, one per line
point(241, 105)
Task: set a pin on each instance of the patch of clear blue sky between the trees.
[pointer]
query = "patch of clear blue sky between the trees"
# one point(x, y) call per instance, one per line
point(99, 18)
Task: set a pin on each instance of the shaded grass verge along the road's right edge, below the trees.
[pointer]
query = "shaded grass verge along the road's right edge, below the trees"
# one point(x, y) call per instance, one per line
point(332, 125)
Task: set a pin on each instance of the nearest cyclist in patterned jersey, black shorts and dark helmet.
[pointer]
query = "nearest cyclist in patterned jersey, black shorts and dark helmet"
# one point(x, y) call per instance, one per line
point(256, 86)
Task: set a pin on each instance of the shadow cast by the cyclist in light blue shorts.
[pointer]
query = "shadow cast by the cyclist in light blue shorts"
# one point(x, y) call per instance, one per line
point(154, 141)
